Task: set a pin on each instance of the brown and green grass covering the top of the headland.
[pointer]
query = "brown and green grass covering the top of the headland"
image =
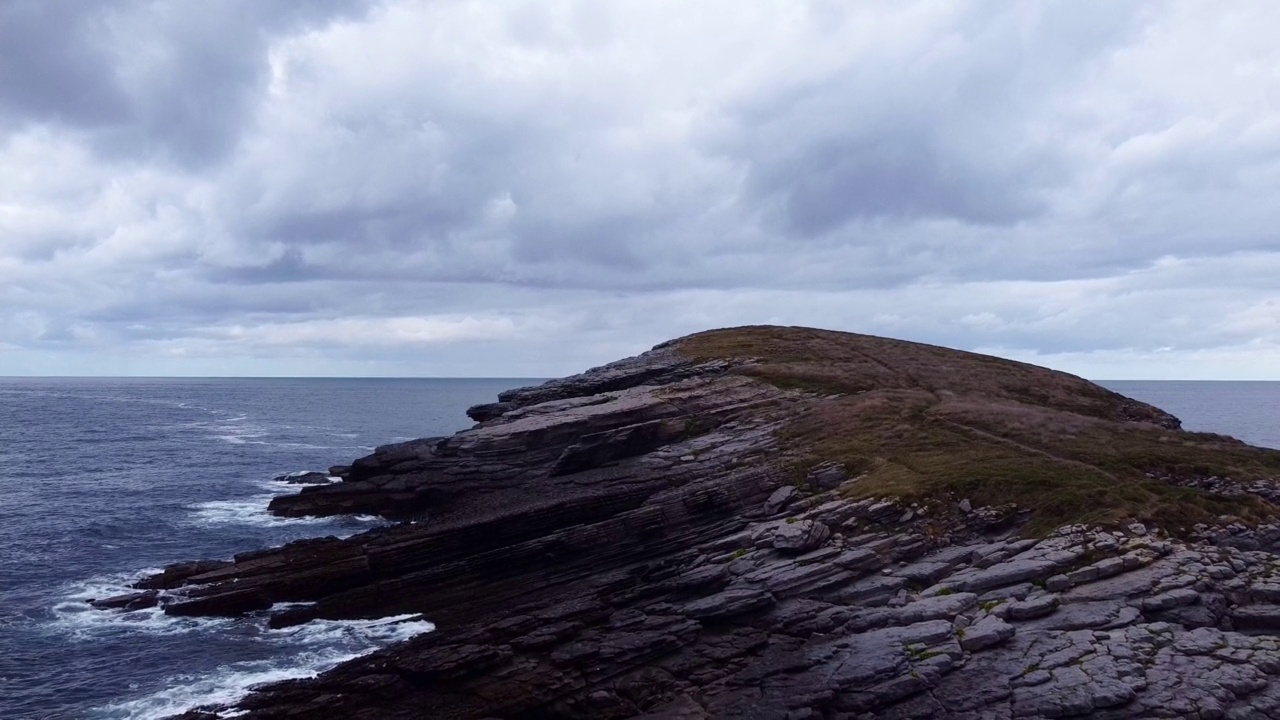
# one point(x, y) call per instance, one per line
point(927, 423)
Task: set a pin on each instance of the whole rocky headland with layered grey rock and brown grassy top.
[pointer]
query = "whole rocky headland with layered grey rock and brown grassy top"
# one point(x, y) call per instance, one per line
point(787, 523)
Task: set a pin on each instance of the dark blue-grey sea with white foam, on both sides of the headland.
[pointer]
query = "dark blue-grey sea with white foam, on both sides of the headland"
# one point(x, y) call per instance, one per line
point(104, 480)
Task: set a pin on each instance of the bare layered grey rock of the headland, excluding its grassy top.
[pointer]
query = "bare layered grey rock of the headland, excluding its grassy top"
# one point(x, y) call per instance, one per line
point(636, 543)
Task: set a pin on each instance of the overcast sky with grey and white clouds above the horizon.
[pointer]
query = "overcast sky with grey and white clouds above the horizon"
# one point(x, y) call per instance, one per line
point(451, 189)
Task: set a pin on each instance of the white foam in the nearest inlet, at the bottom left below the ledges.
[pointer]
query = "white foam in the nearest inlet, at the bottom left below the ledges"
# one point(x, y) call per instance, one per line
point(327, 644)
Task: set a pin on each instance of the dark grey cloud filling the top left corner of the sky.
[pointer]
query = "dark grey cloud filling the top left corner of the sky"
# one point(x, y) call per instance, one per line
point(149, 80)
